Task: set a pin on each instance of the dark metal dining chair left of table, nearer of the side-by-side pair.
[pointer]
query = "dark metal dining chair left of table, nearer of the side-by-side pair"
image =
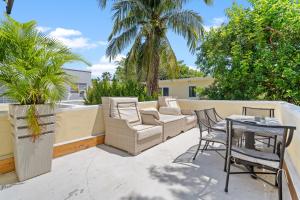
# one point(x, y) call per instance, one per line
point(206, 119)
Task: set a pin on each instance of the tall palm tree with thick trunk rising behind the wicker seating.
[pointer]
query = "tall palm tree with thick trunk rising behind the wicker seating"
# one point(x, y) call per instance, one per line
point(145, 24)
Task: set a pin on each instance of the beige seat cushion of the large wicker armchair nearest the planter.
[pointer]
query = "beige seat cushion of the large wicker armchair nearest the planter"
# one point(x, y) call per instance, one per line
point(146, 131)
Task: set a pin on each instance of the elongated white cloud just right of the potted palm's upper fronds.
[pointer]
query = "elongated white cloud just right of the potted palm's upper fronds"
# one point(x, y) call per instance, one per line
point(72, 38)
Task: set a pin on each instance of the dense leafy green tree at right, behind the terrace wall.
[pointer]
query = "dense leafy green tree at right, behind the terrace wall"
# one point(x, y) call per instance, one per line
point(257, 54)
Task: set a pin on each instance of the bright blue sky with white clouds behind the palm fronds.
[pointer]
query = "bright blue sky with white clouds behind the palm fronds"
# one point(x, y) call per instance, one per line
point(84, 27)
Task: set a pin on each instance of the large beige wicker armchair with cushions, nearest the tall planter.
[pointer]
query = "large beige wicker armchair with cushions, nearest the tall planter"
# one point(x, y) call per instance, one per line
point(124, 128)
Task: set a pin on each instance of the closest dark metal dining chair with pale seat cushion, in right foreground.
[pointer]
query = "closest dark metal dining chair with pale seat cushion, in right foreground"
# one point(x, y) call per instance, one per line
point(273, 162)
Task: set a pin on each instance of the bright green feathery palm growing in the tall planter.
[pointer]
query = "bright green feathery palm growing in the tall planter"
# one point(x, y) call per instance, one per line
point(31, 67)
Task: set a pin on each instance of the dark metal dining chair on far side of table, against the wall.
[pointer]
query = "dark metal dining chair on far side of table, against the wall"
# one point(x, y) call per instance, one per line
point(262, 112)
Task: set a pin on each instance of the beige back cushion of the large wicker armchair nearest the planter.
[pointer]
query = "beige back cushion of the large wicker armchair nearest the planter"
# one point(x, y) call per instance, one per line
point(125, 108)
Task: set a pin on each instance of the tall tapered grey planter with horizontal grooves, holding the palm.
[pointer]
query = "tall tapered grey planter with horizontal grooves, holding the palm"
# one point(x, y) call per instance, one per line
point(32, 158)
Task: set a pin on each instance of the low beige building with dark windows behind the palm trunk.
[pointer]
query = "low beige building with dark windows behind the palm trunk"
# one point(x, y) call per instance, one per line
point(184, 88)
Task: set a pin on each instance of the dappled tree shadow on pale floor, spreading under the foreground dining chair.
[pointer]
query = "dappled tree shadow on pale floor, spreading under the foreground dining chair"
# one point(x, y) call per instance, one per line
point(203, 178)
